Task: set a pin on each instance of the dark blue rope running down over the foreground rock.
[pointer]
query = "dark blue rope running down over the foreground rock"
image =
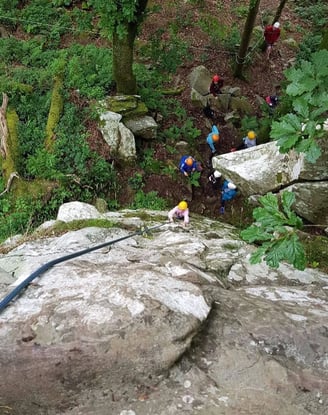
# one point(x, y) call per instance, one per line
point(143, 231)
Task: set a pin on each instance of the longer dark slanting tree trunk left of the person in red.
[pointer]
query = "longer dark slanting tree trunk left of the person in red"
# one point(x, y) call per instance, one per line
point(248, 29)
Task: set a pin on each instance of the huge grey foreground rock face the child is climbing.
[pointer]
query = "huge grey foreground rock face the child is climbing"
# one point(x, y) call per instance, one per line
point(172, 322)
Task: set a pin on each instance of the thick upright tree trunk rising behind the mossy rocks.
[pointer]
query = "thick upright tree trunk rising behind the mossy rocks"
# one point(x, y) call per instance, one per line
point(123, 60)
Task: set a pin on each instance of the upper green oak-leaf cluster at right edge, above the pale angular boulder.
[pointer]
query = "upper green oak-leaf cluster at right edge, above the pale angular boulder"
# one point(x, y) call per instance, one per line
point(307, 90)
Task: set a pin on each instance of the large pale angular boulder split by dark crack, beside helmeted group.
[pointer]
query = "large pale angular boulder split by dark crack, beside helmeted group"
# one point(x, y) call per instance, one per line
point(263, 169)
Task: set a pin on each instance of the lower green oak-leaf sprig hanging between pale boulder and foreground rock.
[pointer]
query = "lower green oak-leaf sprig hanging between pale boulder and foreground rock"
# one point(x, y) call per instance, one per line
point(275, 231)
